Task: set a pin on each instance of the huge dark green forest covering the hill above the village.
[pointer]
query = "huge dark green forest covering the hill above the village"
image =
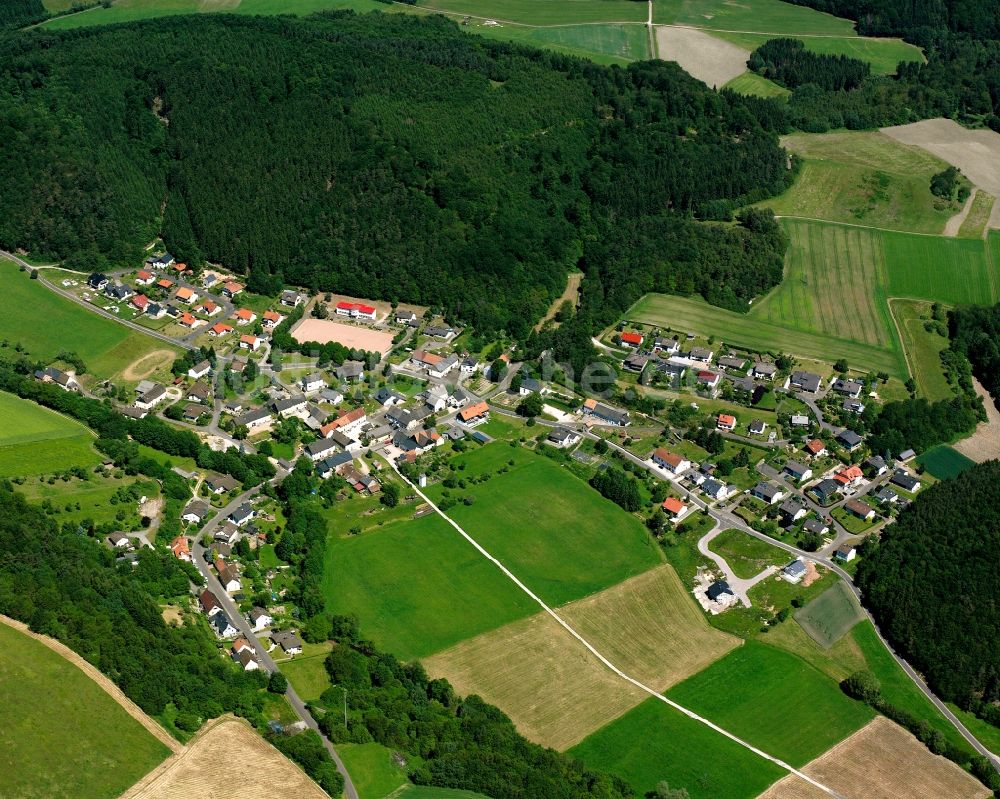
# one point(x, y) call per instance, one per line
point(384, 155)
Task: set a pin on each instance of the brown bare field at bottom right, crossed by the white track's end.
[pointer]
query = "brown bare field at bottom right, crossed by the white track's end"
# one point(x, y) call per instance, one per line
point(881, 761)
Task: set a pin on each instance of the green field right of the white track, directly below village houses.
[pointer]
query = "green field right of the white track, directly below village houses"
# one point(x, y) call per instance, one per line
point(556, 533)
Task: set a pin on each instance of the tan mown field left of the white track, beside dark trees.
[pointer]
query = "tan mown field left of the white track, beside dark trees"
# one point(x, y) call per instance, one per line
point(553, 689)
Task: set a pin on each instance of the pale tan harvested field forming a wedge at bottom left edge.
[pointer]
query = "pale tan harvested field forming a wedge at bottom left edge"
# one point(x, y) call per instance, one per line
point(227, 758)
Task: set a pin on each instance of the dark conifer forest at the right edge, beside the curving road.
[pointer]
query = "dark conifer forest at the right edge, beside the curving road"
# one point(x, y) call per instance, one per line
point(931, 582)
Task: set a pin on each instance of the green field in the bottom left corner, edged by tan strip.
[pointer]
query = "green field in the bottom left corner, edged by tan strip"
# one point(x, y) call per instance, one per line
point(62, 736)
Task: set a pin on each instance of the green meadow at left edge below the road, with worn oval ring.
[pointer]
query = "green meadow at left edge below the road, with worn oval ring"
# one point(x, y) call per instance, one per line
point(39, 319)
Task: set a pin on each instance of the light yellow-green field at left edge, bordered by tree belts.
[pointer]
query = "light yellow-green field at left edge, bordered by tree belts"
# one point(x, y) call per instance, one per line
point(35, 440)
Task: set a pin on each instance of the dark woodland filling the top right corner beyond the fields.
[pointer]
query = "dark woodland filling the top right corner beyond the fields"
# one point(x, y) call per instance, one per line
point(961, 77)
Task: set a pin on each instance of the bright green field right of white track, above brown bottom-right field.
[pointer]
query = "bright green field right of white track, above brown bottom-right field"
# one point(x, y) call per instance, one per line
point(756, 689)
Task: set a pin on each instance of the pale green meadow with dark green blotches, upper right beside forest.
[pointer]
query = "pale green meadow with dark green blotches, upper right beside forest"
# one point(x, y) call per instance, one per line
point(864, 178)
